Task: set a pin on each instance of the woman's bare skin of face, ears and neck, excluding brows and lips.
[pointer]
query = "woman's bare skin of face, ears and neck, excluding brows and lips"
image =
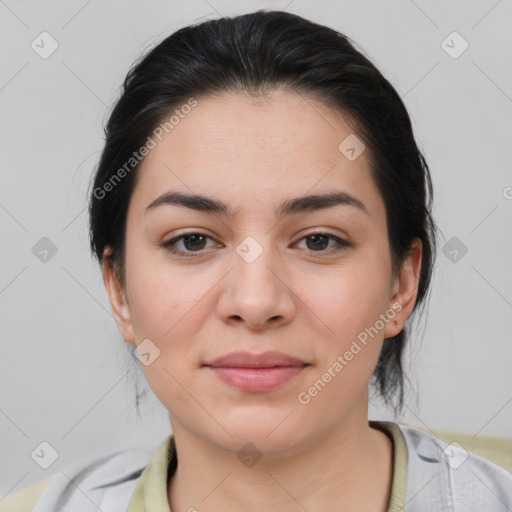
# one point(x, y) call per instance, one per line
point(252, 155)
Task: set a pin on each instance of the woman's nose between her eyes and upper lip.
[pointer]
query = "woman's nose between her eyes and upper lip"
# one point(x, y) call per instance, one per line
point(256, 292)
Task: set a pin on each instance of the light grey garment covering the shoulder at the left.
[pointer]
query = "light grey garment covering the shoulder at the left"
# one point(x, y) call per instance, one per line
point(90, 483)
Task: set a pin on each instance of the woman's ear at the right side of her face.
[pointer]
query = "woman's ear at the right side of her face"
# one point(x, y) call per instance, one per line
point(405, 289)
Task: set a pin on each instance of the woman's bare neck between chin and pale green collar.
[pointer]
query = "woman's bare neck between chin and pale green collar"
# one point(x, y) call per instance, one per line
point(349, 468)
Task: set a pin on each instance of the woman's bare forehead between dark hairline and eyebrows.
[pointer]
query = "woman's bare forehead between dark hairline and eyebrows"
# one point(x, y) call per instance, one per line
point(231, 145)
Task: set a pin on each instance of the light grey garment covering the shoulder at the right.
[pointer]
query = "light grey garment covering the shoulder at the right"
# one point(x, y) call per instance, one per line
point(441, 474)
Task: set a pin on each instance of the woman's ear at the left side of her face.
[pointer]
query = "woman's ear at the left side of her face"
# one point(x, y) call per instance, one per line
point(118, 301)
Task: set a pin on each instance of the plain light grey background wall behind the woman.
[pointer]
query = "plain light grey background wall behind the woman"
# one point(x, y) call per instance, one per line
point(65, 376)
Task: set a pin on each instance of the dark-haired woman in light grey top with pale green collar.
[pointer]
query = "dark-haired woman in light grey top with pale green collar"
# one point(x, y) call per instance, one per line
point(262, 217)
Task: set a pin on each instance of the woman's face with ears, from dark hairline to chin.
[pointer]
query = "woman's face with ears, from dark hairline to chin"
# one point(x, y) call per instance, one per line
point(310, 279)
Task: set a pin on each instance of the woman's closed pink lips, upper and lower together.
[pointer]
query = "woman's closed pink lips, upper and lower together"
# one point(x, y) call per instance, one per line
point(256, 372)
